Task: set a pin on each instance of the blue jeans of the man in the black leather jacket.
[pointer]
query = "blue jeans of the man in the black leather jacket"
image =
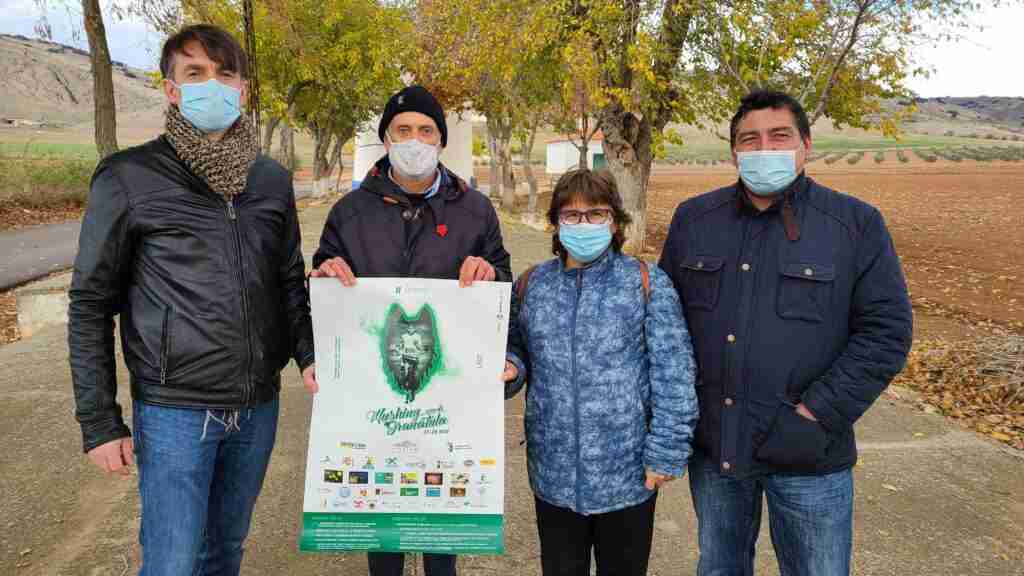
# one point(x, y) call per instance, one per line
point(199, 475)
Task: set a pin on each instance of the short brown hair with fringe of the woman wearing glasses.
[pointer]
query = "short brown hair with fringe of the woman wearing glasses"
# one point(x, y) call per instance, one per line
point(593, 188)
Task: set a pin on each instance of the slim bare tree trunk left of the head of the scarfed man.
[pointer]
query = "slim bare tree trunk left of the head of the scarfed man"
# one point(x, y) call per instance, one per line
point(103, 79)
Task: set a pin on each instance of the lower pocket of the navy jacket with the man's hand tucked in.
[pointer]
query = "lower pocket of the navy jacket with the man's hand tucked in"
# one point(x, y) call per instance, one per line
point(794, 444)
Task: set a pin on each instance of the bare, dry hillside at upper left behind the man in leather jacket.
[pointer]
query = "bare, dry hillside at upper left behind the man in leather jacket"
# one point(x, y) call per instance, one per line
point(53, 84)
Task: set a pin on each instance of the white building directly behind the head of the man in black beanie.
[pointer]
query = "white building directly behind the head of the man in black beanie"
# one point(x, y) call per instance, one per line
point(458, 155)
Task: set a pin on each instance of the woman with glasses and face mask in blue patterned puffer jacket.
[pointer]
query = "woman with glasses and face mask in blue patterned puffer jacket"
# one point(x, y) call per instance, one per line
point(611, 406)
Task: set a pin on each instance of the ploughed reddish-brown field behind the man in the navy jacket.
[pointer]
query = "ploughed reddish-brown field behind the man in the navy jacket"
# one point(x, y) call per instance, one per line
point(959, 229)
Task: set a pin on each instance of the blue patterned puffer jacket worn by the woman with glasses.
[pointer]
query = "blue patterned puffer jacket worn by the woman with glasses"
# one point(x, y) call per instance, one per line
point(611, 383)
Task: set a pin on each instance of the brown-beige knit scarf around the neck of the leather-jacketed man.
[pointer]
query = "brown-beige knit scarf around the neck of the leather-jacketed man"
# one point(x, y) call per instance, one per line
point(223, 164)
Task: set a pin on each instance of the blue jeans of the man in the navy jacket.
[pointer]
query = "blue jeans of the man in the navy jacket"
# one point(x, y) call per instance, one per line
point(810, 519)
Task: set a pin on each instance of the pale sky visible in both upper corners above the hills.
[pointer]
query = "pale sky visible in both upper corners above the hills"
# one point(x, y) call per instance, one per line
point(987, 64)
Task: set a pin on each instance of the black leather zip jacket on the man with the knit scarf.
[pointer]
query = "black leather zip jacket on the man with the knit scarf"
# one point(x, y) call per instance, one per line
point(211, 296)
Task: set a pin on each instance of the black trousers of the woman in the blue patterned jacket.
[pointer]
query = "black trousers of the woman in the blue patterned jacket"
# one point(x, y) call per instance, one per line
point(620, 540)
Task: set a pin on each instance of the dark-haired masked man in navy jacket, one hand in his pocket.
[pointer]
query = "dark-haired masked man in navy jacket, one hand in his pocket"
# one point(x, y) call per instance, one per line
point(800, 318)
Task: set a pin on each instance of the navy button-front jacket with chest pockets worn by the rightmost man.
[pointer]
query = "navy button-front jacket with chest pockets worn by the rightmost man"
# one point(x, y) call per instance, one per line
point(824, 318)
